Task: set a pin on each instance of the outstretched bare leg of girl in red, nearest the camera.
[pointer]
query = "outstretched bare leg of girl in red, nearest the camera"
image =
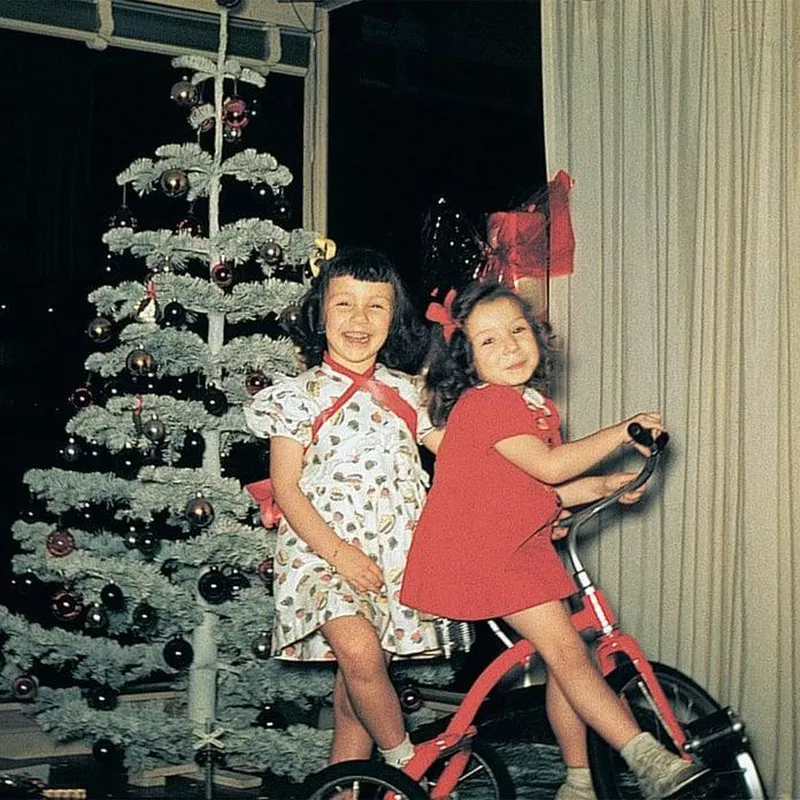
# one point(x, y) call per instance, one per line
point(549, 629)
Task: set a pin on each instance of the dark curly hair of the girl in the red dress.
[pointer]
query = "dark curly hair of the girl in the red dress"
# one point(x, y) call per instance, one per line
point(451, 370)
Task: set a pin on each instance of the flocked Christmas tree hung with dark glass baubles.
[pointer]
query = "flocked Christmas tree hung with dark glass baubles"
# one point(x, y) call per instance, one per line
point(141, 551)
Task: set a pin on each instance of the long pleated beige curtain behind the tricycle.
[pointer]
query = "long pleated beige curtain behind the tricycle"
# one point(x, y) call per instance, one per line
point(680, 122)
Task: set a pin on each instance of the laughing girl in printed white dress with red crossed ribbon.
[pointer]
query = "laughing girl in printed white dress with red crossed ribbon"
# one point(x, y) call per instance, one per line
point(346, 474)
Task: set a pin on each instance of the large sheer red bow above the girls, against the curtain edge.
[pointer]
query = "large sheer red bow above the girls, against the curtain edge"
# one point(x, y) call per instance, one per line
point(531, 242)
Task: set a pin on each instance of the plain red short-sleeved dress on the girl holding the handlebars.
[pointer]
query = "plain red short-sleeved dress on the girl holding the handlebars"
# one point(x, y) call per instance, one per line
point(482, 546)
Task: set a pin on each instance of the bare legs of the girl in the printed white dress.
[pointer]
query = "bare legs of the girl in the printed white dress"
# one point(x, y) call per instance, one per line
point(371, 695)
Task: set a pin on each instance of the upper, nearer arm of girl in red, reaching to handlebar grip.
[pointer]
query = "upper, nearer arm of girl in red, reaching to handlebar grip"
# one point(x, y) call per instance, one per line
point(559, 464)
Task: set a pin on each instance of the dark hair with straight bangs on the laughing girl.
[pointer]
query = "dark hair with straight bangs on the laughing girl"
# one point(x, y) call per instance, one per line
point(408, 339)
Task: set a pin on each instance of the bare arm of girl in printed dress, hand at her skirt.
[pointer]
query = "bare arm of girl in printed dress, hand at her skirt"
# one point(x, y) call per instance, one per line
point(285, 468)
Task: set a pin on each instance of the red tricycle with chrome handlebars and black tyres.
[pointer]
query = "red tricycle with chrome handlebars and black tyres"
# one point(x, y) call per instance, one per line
point(456, 761)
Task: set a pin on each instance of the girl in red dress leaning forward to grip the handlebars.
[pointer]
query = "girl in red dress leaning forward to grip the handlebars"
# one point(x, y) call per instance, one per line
point(482, 547)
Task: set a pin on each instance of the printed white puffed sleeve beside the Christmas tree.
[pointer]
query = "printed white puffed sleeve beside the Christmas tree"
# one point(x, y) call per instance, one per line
point(281, 410)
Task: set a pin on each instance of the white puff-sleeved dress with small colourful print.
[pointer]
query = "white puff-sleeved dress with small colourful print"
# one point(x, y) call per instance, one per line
point(363, 476)
